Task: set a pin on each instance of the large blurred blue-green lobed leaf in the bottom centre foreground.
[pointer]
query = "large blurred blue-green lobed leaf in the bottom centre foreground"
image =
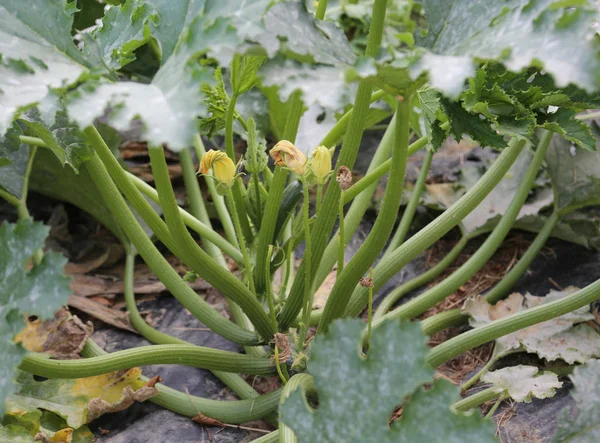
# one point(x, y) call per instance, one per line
point(357, 395)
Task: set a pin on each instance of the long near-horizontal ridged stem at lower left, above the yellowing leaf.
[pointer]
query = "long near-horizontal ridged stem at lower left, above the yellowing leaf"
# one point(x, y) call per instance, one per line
point(187, 355)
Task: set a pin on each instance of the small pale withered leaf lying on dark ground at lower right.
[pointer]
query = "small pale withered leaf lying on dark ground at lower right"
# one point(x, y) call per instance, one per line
point(523, 383)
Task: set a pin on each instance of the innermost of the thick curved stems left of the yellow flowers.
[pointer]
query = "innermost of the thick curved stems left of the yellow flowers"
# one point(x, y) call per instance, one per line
point(201, 262)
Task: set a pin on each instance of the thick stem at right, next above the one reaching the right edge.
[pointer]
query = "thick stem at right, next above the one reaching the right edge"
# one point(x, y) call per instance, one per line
point(455, 317)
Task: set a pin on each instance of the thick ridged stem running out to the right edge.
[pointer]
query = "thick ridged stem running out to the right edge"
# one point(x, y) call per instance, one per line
point(507, 325)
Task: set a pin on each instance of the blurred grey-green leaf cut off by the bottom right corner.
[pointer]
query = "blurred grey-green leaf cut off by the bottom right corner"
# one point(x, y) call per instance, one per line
point(583, 424)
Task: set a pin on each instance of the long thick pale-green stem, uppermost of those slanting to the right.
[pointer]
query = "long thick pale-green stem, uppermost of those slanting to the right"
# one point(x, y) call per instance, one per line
point(389, 266)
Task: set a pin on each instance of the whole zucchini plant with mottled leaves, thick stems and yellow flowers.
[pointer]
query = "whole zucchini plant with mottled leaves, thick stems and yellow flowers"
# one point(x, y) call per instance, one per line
point(513, 75)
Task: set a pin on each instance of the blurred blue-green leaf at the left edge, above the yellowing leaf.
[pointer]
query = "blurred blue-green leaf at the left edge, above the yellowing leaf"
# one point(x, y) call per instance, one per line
point(40, 291)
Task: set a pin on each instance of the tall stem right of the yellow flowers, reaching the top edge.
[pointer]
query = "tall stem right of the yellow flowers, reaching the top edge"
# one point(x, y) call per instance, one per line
point(323, 226)
